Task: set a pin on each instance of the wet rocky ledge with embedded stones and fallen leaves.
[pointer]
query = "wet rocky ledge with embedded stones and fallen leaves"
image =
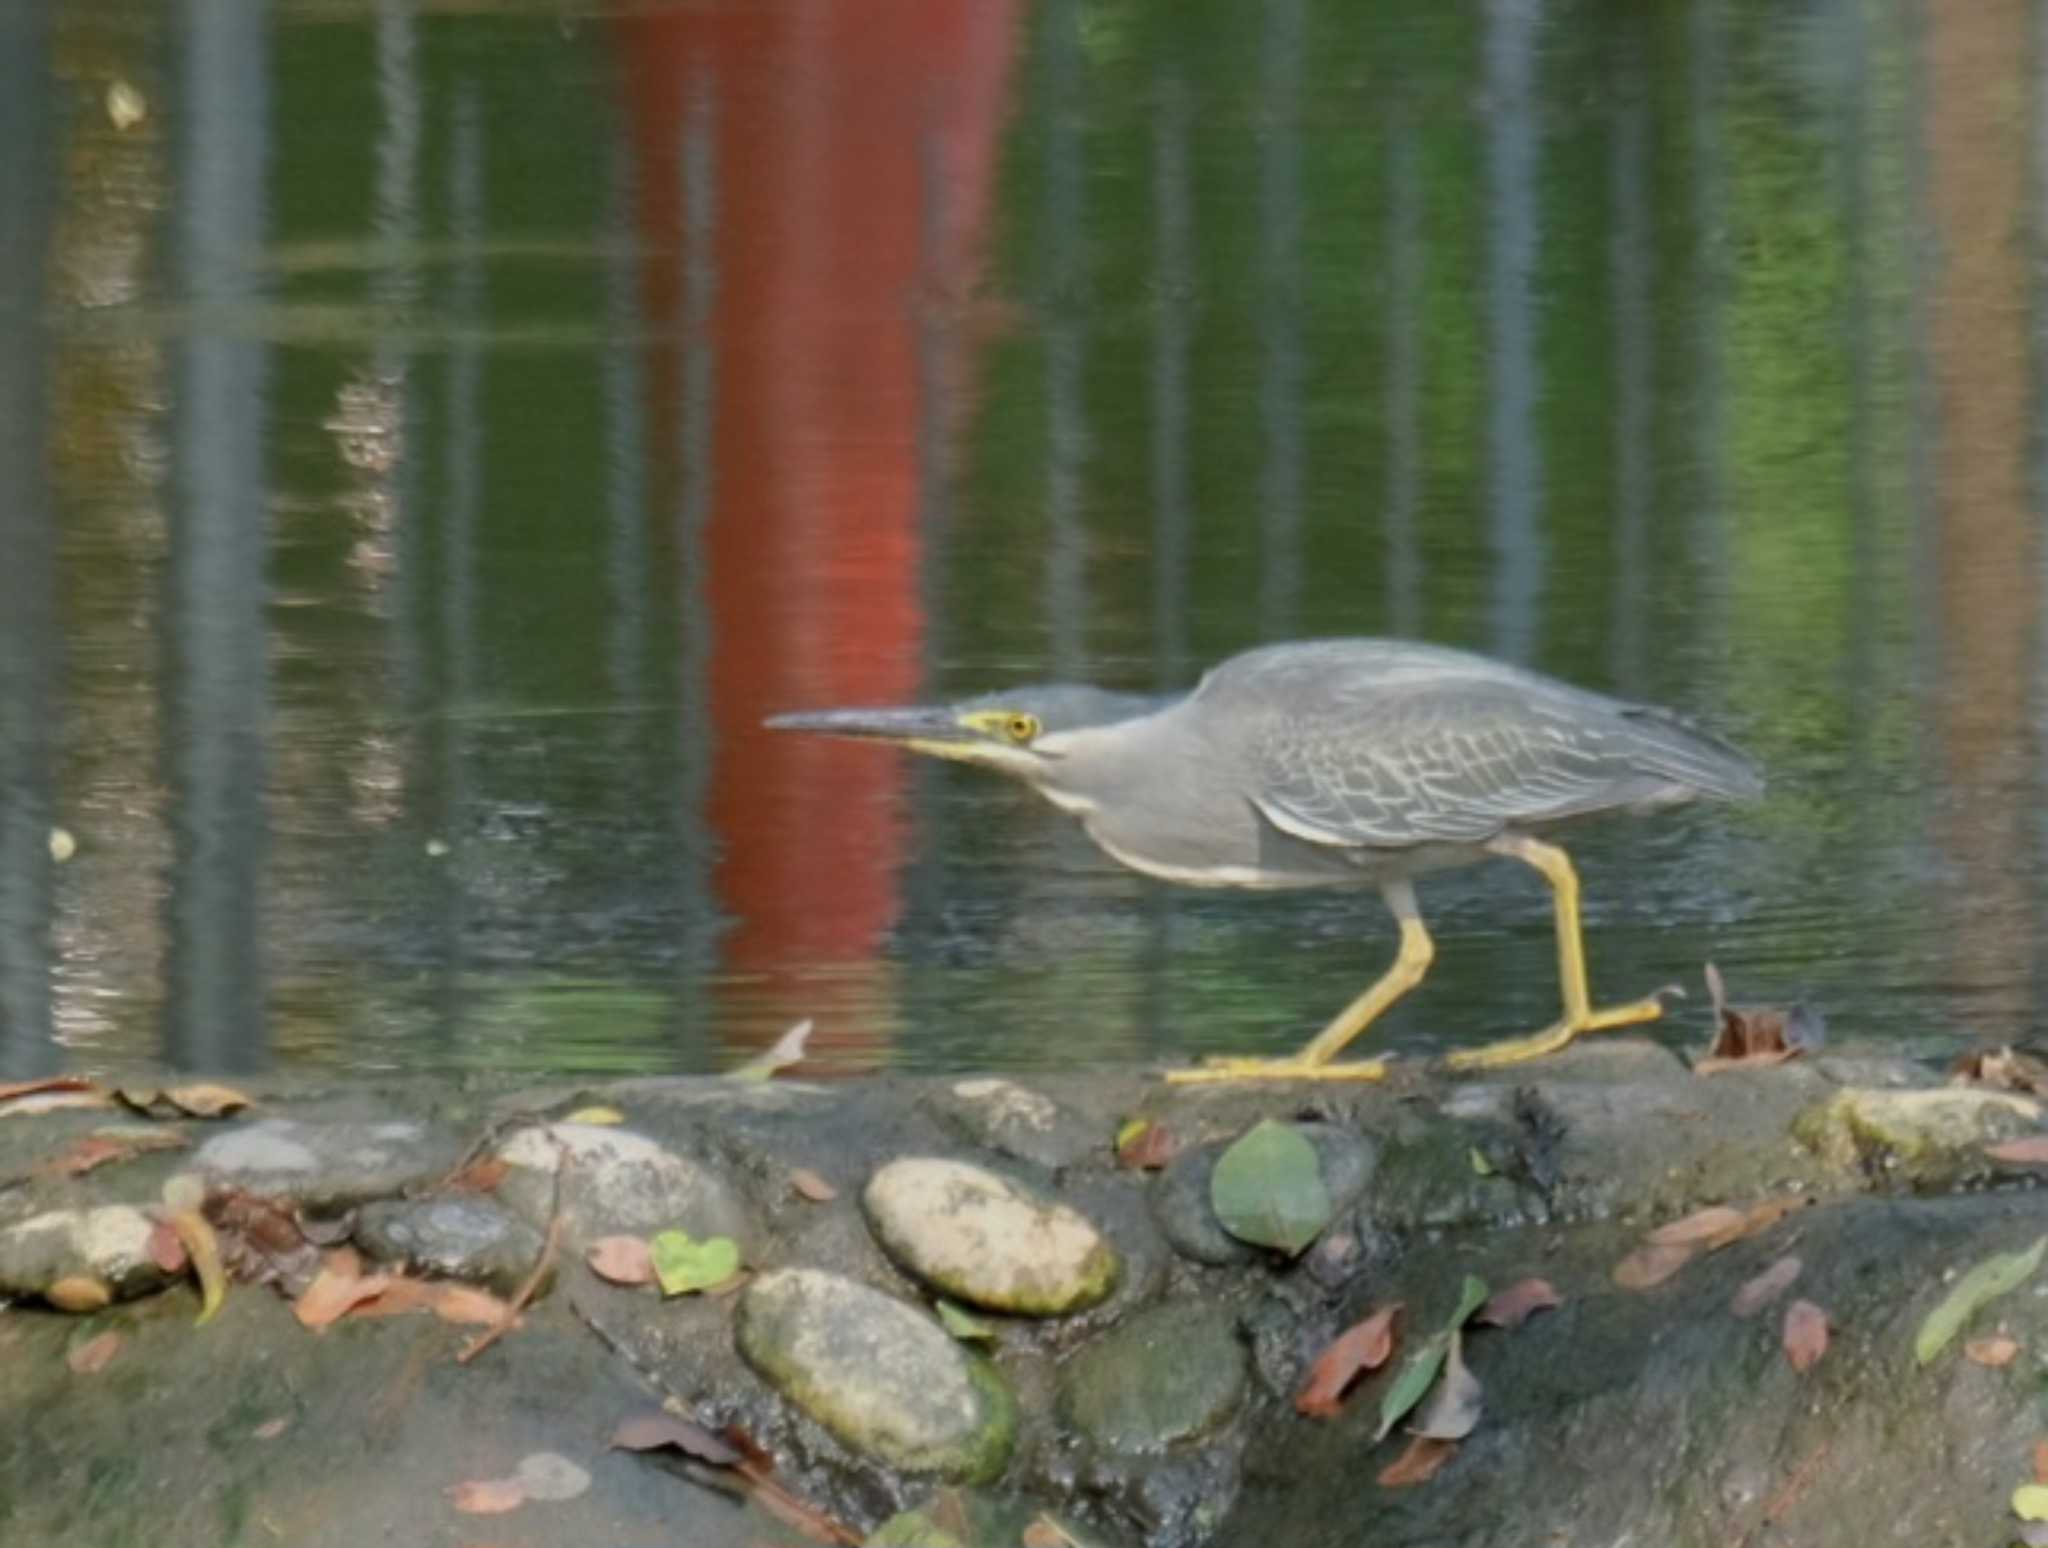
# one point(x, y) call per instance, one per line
point(1080, 1309)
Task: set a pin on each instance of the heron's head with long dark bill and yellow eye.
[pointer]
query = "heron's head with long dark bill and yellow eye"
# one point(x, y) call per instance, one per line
point(1023, 732)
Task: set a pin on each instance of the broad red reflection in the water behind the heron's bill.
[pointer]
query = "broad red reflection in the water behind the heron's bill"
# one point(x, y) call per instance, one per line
point(853, 150)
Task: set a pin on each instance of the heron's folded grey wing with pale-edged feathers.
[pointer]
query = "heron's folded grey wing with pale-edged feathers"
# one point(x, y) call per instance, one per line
point(1449, 761)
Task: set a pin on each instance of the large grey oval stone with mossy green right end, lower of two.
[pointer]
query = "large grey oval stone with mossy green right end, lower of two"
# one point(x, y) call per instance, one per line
point(878, 1373)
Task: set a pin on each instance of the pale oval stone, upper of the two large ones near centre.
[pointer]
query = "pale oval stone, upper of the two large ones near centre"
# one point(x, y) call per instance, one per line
point(986, 1240)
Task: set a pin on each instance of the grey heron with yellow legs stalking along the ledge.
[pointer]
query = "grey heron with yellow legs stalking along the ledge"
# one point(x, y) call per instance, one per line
point(1336, 765)
